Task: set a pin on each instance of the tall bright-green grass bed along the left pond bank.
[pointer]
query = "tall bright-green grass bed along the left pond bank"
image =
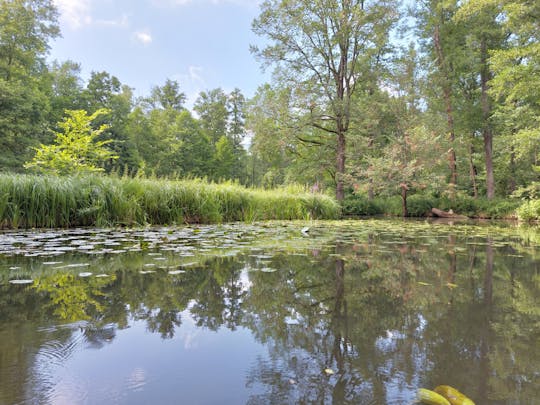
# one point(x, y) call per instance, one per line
point(30, 201)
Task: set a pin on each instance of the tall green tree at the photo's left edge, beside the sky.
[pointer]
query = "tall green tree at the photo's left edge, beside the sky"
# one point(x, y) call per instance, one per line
point(26, 27)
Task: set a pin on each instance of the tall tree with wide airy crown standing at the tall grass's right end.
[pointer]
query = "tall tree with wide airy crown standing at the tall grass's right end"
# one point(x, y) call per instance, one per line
point(323, 48)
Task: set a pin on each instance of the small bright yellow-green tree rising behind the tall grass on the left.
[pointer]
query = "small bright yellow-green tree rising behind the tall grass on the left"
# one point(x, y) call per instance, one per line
point(76, 149)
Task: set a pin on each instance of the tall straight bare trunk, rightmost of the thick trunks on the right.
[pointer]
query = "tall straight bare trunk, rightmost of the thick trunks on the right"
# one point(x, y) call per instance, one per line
point(486, 113)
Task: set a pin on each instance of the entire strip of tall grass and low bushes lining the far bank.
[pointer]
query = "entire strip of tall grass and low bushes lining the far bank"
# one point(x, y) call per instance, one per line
point(31, 201)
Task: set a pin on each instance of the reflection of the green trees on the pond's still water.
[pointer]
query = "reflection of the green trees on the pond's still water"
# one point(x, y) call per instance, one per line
point(385, 316)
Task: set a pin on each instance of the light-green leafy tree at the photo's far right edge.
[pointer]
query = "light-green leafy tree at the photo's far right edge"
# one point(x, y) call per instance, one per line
point(515, 85)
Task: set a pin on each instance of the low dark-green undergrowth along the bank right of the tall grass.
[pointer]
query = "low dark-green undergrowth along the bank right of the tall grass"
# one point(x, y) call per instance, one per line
point(419, 205)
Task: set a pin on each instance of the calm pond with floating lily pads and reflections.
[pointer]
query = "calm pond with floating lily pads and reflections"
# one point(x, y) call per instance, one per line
point(351, 312)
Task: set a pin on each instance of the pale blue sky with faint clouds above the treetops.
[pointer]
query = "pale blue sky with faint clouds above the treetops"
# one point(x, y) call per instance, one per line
point(203, 44)
